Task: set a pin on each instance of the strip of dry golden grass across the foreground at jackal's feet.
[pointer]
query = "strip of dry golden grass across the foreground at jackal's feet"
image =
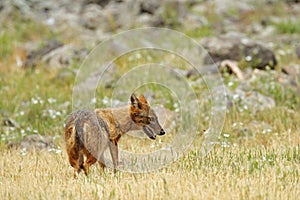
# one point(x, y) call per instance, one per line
point(227, 173)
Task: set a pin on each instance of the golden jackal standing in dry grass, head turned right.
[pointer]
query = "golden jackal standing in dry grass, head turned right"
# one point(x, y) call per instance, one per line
point(89, 133)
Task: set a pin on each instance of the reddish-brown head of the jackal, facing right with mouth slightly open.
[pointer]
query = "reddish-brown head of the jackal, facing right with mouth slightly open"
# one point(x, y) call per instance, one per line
point(144, 116)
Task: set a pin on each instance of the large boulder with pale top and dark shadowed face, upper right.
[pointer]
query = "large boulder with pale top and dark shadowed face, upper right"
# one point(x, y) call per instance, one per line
point(238, 48)
